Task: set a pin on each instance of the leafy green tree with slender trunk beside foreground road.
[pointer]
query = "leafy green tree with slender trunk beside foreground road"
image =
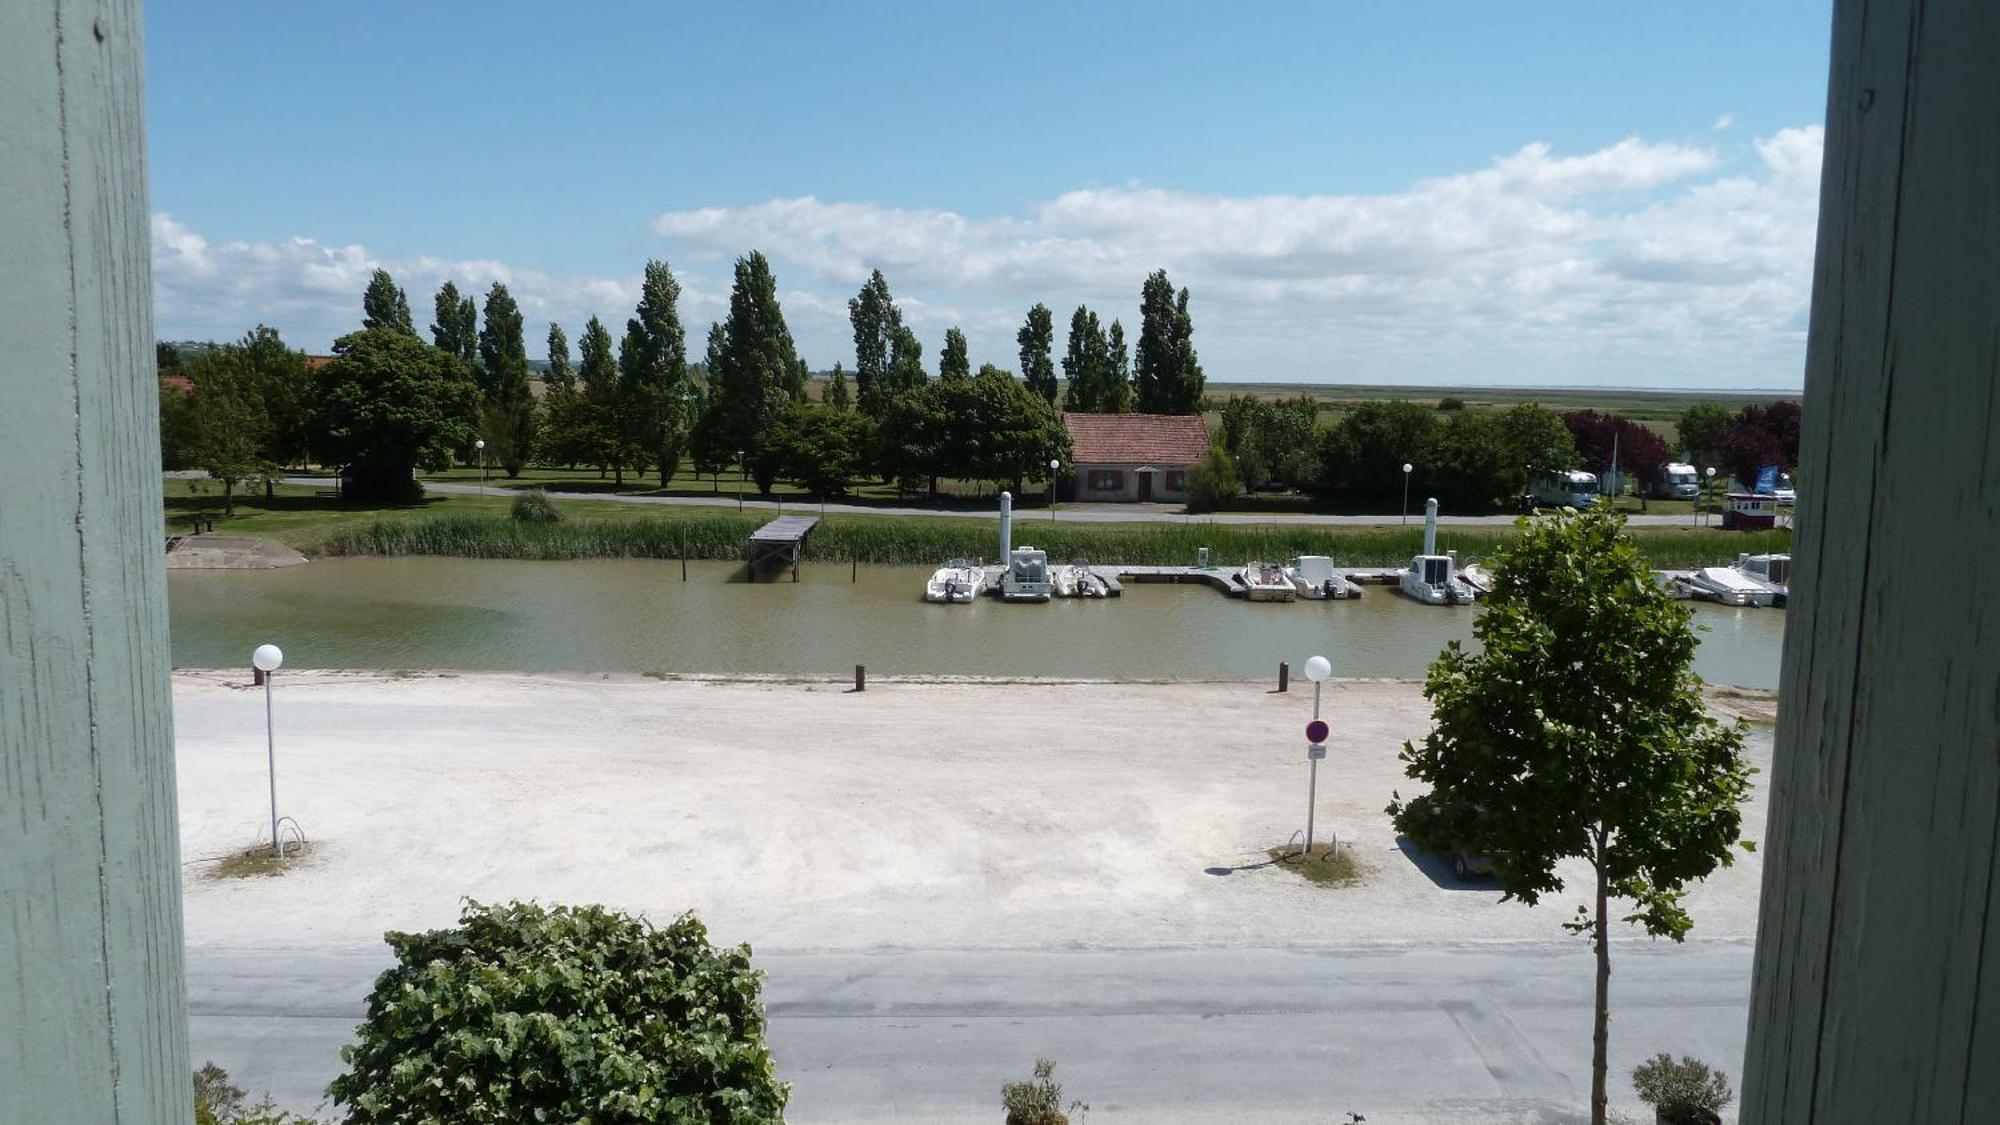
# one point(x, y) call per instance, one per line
point(1579, 732)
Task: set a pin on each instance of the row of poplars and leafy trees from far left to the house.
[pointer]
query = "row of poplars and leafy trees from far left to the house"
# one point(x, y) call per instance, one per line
point(391, 403)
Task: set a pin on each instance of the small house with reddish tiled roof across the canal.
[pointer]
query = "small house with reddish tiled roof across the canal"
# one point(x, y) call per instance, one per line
point(1133, 457)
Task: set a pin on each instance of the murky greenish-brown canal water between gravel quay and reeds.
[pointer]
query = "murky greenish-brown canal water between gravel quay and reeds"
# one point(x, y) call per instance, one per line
point(641, 618)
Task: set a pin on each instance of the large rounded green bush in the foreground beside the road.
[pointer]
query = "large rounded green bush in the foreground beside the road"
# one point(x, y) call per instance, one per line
point(563, 1014)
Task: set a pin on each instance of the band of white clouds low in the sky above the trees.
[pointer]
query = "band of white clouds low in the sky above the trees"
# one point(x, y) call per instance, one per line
point(1641, 263)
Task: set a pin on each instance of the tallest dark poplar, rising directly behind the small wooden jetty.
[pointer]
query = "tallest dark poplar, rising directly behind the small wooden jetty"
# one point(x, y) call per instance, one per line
point(753, 369)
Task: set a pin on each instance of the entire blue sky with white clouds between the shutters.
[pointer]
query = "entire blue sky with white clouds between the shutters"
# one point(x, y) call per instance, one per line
point(1495, 193)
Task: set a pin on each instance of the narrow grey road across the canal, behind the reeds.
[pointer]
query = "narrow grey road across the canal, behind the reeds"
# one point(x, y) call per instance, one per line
point(1075, 513)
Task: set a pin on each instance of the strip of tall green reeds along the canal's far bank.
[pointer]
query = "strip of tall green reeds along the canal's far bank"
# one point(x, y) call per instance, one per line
point(931, 541)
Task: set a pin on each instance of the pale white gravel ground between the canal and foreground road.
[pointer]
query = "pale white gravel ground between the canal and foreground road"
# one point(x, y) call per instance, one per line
point(803, 818)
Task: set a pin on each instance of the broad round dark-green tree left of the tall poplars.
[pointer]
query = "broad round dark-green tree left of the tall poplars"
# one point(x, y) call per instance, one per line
point(387, 405)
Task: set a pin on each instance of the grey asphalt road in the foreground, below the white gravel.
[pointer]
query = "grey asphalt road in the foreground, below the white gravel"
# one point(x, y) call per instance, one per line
point(1253, 1036)
